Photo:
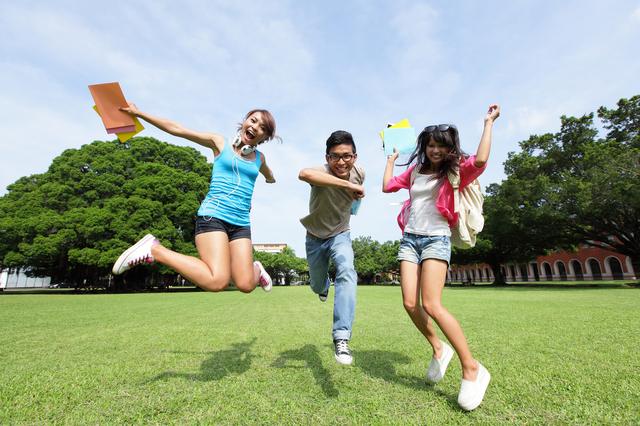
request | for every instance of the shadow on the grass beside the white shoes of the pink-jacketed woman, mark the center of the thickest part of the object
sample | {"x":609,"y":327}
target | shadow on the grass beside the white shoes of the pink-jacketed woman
{"x":382,"y":365}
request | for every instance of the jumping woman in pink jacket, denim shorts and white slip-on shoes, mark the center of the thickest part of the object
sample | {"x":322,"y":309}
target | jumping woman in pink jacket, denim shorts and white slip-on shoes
{"x":425,"y":248}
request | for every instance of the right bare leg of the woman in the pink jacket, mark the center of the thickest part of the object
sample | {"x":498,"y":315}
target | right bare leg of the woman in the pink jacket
{"x":434,"y":272}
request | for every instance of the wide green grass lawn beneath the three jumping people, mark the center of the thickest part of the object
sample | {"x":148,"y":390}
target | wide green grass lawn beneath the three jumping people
{"x":556,"y":356}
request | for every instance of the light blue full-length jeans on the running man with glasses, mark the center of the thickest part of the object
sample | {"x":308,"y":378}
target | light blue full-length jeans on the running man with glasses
{"x":337,"y":248}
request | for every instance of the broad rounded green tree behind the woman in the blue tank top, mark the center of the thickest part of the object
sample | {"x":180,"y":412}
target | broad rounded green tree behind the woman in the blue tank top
{"x":72,"y":221}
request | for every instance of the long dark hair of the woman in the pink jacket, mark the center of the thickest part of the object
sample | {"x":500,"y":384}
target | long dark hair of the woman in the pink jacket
{"x":448,"y":138}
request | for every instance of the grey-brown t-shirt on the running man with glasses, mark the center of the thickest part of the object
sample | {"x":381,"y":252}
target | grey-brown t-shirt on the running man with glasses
{"x":329,"y":207}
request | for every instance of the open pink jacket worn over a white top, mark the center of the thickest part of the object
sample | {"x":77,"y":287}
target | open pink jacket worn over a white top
{"x":468,"y":173}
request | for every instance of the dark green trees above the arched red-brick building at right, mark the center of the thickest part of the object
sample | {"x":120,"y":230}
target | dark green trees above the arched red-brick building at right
{"x":567,"y":188}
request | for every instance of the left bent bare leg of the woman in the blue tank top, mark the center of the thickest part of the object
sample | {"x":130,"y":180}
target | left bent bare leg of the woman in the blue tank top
{"x":211,"y":271}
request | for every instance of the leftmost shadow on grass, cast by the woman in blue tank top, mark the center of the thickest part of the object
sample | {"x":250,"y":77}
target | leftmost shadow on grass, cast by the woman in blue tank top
{"x":220,"y":364}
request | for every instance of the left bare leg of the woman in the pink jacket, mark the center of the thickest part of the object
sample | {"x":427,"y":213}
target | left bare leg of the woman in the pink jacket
{"x":409,"y":279}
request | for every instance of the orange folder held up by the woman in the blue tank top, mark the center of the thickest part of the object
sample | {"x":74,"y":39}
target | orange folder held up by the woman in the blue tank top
{"x":109,"y":98}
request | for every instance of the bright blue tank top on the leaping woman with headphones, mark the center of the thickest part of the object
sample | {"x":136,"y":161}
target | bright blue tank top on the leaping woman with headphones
{"x":231,"y":187}
